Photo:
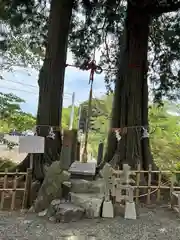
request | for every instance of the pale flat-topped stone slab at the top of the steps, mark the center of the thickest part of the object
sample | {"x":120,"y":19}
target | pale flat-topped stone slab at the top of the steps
{"x":85,"y":169}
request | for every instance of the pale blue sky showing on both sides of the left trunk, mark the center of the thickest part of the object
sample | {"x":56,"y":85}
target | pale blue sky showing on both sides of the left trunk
{"x":23,"y":83}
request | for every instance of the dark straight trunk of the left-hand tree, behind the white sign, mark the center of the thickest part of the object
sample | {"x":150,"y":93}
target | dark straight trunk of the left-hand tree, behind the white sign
{"x":51,"y":85}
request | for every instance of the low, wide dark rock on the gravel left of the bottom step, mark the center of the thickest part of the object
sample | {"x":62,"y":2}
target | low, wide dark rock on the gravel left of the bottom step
{"x":65,"y":212}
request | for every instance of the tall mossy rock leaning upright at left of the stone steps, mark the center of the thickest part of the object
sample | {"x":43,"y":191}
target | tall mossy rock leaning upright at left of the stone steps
{"x":51,"y":187}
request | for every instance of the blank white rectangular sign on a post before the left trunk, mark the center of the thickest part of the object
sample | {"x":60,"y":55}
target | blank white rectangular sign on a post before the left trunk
{"x":31,"y":144}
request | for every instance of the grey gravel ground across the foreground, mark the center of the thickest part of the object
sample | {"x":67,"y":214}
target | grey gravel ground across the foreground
{"x":157,"y":223}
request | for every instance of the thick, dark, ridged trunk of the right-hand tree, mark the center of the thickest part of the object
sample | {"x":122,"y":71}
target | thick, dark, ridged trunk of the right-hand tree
{"x":130,"y":107}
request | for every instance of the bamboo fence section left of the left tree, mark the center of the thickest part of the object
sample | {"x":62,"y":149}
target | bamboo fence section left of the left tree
{"x":15,"y":189}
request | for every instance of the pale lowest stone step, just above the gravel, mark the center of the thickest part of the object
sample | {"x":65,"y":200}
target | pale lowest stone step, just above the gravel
{"x":90,"y":202}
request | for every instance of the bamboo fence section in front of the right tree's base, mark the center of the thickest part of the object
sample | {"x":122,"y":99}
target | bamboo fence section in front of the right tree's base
{"x":165,"y":183}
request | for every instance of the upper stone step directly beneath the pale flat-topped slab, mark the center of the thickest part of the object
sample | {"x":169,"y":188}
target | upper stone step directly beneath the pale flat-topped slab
{"x":85,"y":186}
